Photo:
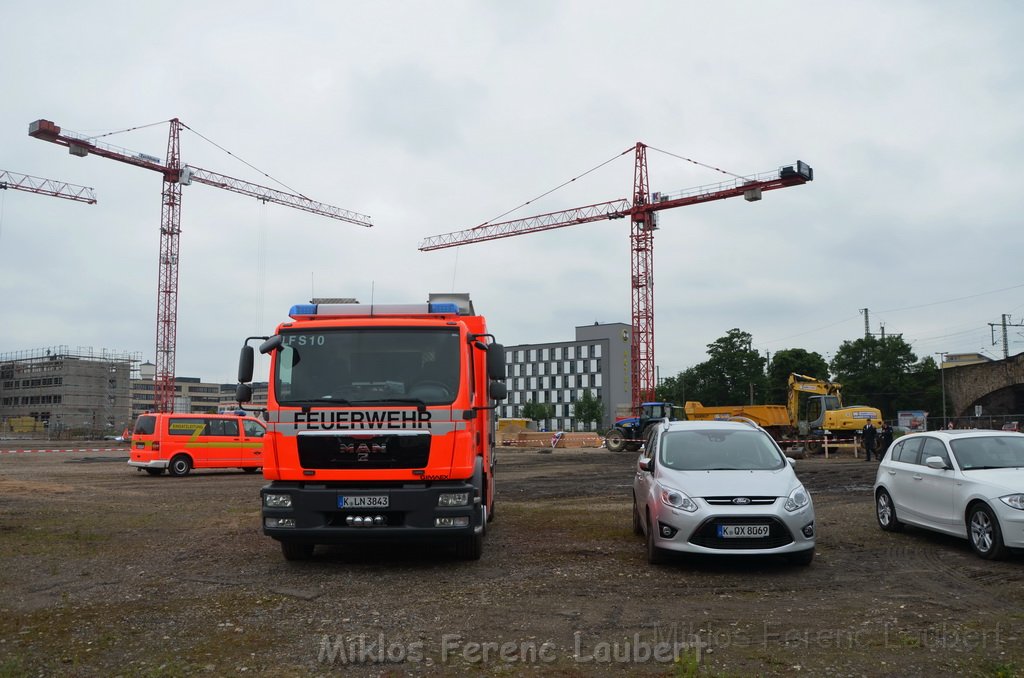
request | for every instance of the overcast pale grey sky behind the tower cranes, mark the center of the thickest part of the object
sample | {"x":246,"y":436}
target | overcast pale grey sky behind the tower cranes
{"x":434,"y":117}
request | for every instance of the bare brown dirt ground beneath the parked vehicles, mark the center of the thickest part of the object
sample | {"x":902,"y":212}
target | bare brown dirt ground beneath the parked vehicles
{"x":109,"y":572}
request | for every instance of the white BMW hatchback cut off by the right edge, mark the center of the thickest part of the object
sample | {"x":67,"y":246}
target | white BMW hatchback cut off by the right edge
{"x":963,"y":483}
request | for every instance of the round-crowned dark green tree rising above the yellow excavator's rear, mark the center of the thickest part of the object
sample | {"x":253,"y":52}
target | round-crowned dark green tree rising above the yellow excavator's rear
{"x":875,"y":372}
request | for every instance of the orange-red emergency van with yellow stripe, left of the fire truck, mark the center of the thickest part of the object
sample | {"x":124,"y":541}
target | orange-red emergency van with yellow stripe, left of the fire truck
{"x":181,"y":443}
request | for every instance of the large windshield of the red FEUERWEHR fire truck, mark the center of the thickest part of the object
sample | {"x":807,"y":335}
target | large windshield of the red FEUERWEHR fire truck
{"x":367,"y":365}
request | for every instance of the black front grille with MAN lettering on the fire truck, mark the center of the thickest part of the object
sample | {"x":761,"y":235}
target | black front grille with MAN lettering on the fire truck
{"x":364,"y":452}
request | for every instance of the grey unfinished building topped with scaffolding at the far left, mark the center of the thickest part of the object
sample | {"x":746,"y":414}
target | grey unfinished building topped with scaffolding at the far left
{"x":59,"y":393}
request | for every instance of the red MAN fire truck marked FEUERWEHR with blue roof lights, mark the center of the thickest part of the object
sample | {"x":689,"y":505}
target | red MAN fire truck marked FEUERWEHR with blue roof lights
{"x":380,"y":425}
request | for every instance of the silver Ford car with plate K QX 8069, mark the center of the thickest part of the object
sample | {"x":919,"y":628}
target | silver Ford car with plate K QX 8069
{"x":720,"y":488}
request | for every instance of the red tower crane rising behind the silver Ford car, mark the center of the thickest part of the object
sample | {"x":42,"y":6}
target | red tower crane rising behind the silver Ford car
{"x":643,"y":217}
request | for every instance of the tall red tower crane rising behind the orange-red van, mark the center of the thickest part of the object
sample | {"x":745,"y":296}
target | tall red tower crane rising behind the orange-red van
{"x":176,"y":176}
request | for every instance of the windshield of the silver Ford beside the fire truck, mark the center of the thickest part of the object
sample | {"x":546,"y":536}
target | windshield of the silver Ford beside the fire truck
{"x":712,"y":450}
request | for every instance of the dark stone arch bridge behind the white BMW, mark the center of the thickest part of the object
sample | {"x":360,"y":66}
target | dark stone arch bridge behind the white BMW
{"x":998,"y":387}
